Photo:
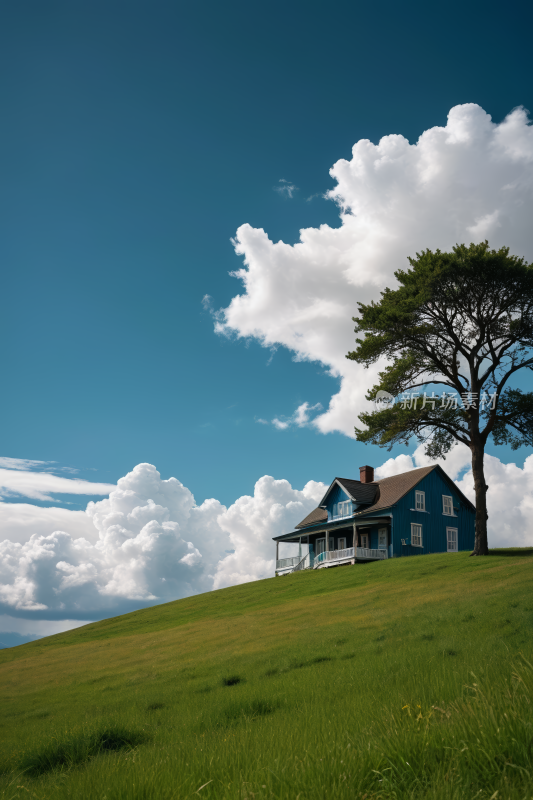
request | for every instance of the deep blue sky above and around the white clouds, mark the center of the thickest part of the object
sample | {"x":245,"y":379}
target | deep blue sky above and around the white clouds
{"x":137,"y":138}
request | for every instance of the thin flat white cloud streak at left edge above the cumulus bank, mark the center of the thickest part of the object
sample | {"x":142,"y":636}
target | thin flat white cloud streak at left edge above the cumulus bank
{"x":41,"y":485}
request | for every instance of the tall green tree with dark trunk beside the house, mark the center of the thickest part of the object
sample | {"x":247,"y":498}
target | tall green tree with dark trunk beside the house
{"x":463,"y":320}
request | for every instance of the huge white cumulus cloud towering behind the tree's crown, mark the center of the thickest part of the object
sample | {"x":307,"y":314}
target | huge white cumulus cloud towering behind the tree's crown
{"x":469,"y":180}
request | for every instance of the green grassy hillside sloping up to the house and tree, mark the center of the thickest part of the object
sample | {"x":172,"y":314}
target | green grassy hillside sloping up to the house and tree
{"x":406,"y":678}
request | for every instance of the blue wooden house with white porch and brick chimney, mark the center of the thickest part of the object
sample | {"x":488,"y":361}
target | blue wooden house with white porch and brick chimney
{"x":420,"y":511}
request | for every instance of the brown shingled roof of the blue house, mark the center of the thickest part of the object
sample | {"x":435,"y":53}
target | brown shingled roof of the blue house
{"x":379,"y":494}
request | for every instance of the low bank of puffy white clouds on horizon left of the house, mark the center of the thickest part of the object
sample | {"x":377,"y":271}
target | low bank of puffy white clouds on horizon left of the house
{"x":150,"y":542}
